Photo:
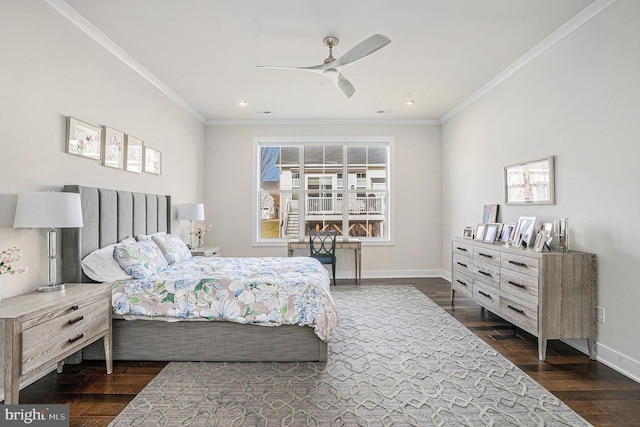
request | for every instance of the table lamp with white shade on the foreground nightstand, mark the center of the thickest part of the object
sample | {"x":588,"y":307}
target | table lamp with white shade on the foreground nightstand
{"x":49,"y":209}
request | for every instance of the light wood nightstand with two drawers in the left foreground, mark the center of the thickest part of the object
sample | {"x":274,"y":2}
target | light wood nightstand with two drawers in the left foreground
{"x":39,"y":329}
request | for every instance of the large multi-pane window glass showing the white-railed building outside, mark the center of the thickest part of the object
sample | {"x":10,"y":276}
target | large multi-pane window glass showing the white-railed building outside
{"x":340,"y":186}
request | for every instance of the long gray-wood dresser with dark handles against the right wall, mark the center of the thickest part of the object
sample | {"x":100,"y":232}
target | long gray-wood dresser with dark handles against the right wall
{"x":551,"y":295}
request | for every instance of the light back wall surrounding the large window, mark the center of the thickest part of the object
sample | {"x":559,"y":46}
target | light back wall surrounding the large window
{"x":415,"y":182}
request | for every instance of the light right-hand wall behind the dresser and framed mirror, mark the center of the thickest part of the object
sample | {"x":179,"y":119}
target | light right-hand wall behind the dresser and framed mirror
{"x":579,"y":102}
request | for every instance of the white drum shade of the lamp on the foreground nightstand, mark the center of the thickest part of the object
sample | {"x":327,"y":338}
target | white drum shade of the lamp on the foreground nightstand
{"x":48,"y":209}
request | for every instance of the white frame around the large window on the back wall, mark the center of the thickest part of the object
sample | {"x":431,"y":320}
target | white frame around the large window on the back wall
{"x":283,"y":141}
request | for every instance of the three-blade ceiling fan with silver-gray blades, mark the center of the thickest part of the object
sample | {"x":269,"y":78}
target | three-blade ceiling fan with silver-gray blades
{"x":331,"y":66}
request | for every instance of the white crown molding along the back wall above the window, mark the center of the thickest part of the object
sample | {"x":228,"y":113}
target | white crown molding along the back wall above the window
{"x":336,"y":122}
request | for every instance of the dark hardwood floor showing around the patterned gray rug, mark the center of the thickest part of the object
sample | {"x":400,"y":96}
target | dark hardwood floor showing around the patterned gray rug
{"x":599,"y":394}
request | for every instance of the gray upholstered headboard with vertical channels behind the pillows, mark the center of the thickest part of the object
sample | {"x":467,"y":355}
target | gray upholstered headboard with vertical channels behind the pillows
{"x":109,"y":216}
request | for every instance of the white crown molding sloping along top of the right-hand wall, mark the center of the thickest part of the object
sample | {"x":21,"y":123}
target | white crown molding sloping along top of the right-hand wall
{"x":569,"y":27}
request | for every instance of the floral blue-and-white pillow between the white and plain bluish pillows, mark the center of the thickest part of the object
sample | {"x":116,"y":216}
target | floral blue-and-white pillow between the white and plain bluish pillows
{"x":141,"y":259}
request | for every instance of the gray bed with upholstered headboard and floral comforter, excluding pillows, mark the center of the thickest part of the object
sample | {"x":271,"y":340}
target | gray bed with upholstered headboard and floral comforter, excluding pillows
{"x":190,"y":335}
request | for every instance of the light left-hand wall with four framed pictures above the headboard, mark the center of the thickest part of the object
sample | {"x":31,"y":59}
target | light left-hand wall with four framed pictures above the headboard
{"x":51,"y":70}
